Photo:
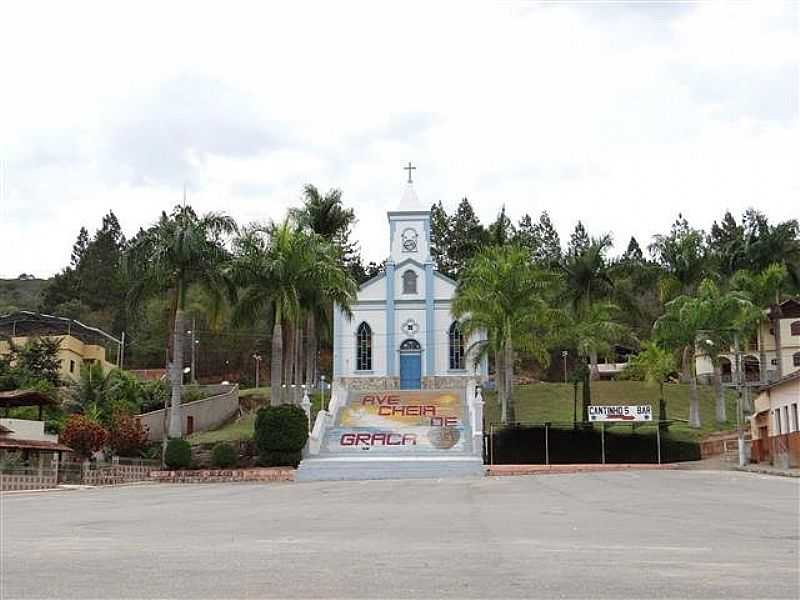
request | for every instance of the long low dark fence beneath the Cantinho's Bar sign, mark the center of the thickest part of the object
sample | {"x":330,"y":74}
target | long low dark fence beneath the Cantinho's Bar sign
{"x":585,"y":443}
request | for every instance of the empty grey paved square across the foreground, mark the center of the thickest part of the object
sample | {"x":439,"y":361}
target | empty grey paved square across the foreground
{"x":633,"y":534}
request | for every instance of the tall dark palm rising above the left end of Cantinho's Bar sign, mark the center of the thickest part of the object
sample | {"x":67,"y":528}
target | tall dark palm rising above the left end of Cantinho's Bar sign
{"x":588,"y":280}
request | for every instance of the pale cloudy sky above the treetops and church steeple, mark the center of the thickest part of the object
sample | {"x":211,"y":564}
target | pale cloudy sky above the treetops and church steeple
{"x":621,"y":115}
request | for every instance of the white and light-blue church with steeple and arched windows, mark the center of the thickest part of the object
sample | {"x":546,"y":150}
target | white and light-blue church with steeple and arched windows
{"x":402,"y":334}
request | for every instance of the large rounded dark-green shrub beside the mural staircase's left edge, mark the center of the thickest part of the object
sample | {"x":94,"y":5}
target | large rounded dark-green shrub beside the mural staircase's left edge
{"x":280,"y":433}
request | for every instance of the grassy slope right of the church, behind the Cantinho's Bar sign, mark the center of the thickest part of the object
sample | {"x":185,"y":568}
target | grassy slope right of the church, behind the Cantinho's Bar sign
{"x":553,"y":402}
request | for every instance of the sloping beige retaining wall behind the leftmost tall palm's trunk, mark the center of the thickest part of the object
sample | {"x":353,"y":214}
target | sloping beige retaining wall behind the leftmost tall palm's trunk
{"x":203,"y":415}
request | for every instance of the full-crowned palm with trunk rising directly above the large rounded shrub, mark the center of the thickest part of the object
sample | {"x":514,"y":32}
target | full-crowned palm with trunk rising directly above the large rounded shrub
{"x":279,"y":267}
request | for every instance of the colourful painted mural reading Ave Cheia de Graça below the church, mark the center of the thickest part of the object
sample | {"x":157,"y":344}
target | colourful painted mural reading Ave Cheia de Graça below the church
{"x":399,"y":422}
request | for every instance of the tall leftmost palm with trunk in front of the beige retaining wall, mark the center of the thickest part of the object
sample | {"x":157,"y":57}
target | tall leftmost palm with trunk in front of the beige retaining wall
{"x":180,"y":251}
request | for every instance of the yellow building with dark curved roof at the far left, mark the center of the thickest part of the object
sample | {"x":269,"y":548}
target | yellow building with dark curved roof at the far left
{"x":78,"y":343}
